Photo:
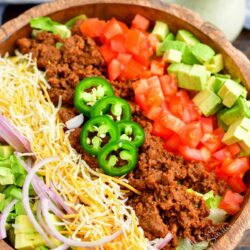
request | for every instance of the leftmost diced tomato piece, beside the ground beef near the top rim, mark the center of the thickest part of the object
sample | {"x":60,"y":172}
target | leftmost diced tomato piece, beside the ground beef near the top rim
{"x":92,"y":27}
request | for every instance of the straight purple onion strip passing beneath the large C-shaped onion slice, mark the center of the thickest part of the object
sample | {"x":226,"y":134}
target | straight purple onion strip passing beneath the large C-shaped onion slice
{"x":41,"y":188}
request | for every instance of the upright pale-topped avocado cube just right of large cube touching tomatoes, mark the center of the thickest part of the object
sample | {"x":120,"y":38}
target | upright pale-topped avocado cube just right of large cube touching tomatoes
{"x":198,"y":77}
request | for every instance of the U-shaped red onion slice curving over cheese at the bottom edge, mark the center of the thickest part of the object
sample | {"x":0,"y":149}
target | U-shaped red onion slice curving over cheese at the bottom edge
{"x":73,"y":243}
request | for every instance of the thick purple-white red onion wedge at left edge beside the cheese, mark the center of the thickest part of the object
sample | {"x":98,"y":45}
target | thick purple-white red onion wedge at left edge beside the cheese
{"x":12,"y":136}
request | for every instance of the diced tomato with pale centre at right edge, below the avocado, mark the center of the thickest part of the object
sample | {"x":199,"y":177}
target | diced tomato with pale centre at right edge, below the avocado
{"x":237,"y":167}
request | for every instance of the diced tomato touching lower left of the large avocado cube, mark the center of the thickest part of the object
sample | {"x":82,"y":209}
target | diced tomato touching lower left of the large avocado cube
{"x":168,"y":84}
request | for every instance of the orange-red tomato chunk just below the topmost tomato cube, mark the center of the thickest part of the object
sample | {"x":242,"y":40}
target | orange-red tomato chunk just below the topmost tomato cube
{"x":133,"y":40}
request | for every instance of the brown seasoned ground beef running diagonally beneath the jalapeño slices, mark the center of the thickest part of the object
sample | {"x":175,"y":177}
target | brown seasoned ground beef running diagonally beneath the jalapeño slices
{"x":164,"y":205}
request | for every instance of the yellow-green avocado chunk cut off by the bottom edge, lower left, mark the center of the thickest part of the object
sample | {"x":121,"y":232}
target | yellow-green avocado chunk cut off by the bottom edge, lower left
{"x":28,"y":241}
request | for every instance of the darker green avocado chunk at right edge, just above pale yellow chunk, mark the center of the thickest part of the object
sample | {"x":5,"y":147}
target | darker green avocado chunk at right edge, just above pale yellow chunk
{"x":238,"y":111}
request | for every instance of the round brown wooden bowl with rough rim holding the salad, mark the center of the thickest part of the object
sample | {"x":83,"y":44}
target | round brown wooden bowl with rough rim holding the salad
{"x":176,"y":17}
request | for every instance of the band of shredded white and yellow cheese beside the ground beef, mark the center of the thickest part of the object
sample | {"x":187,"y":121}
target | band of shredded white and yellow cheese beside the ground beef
{"x":98,"y":199}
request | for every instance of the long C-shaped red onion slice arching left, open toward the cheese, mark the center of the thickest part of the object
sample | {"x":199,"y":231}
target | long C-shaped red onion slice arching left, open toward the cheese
{"x":26,"y":202}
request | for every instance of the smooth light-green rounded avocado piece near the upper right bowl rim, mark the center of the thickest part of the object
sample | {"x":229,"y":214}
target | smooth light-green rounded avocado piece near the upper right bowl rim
{"x":202,"y":52}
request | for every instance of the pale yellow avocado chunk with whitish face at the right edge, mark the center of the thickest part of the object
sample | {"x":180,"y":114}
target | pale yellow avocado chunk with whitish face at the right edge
{"x":237,"y":131}
